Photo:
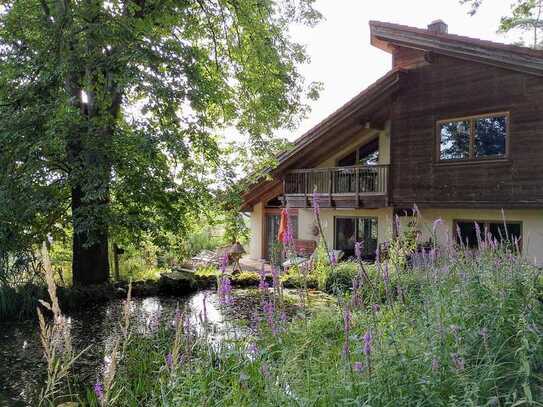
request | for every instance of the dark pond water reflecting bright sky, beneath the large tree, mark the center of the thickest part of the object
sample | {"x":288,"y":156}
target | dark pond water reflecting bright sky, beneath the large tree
{"x":22,"y":366}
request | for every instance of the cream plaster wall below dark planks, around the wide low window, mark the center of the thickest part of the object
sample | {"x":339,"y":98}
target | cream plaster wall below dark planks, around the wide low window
{"x":532,"y":226}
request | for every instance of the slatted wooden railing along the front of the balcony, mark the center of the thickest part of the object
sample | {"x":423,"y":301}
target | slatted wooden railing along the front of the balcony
{"x":371,"y":179}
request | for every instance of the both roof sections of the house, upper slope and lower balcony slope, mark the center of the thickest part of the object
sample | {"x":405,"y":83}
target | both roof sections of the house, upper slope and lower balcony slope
{"x":387,"y":36}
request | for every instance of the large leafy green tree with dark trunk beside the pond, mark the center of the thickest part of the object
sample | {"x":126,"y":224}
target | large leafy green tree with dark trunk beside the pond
{"x":110,"y":110}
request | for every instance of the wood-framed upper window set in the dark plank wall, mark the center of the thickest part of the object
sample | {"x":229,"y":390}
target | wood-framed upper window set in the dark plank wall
{"x":472,"y":138}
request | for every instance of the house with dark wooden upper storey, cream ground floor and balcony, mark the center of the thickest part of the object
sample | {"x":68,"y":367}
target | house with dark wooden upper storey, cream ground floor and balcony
{"x":455,"y":128}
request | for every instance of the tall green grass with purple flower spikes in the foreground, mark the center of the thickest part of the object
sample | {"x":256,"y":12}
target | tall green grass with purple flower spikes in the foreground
{"x":455,"y":327}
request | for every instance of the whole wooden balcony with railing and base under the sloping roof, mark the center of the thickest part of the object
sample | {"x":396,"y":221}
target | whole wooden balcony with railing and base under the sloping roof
{"x":338,"y":187}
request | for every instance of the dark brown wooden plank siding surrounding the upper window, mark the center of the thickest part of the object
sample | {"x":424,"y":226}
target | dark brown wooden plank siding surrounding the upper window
{"x":449,"y":88}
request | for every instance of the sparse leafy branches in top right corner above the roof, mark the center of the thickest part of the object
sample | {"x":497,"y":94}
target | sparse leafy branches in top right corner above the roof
{"x":526,"y":16}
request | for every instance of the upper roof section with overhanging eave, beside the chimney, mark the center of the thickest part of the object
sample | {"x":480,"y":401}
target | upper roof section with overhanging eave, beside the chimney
{"x":517,"y":58}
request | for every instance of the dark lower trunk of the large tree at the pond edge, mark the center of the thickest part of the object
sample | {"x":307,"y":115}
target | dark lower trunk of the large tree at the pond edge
{"x":90,"y":262}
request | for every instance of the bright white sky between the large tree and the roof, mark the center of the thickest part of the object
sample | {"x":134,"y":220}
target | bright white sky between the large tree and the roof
{"x":345,"y":62}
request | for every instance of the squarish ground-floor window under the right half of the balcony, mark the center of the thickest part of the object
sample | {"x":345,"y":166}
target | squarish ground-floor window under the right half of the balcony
{"x":349,"y":230}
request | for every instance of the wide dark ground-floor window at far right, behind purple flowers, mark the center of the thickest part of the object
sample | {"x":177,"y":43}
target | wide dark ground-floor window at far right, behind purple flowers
{"x":466,"y":231}
